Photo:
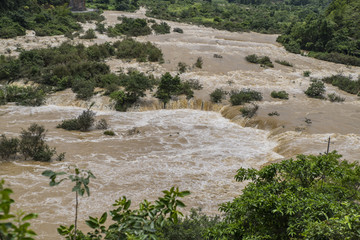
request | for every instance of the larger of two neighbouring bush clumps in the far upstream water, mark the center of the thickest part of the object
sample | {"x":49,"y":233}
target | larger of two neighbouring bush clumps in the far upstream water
{"x":133,"y":27}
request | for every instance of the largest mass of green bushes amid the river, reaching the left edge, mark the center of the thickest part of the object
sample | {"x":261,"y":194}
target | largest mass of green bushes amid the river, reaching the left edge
{"x":68,"y":66}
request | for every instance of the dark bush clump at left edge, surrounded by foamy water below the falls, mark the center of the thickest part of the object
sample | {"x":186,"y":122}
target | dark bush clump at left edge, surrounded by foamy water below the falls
{"x":31,"y":145}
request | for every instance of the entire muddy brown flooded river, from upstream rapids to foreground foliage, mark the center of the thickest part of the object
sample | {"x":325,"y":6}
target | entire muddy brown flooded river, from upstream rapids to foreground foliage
{"x":195,"y":150}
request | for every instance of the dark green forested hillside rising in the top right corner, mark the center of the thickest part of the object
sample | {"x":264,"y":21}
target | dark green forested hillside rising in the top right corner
{"x":335,"y":33}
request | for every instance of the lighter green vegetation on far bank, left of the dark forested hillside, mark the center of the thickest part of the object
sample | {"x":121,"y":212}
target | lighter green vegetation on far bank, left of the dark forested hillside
{"x":264,"y":16}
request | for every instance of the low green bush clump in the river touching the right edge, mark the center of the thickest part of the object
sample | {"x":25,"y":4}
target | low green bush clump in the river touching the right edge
{"x":344,"y":83}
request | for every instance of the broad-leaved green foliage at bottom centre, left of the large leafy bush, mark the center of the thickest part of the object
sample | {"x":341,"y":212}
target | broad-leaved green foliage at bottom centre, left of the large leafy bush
{"x":141,"y":223}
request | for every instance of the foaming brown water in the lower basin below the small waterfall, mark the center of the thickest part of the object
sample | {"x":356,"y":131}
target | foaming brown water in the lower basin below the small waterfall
{"x":194,"y":150}
